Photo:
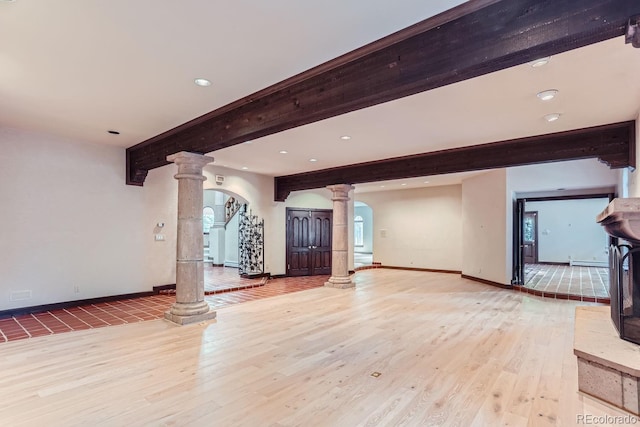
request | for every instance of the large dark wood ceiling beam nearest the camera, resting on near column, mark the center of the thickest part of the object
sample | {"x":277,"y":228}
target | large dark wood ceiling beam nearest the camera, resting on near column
{"x":476,"y":38}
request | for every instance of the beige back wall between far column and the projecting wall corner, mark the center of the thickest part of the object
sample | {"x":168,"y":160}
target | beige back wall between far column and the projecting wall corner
{"x":419,"y":228}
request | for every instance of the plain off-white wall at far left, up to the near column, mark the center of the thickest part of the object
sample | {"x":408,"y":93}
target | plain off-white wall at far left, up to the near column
{"x":71,"y":228}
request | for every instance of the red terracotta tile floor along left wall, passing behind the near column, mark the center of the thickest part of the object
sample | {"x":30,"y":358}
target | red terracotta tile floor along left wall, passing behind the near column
{"x":140,"y":309}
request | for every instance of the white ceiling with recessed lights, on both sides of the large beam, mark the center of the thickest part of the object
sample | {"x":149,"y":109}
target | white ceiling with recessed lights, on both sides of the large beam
{"x":78,"y":68}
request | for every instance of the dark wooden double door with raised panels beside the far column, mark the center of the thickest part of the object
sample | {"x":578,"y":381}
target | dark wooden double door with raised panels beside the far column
{"x":309,"y":241}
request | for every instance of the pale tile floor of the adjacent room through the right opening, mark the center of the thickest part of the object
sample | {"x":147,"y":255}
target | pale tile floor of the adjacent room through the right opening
{"x":589,"y":282}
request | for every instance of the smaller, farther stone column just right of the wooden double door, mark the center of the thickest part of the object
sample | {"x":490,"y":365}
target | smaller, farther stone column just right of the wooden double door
{"x":340,"y":238}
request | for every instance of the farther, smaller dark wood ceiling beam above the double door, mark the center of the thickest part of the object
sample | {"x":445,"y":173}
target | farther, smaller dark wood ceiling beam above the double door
{"x":613,"y":144}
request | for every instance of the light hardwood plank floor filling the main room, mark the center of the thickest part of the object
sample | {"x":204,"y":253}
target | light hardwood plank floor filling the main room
{"x":451,"y":352}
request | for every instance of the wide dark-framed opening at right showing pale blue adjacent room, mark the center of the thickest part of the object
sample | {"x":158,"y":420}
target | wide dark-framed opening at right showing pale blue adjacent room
{"x":559,"y":248}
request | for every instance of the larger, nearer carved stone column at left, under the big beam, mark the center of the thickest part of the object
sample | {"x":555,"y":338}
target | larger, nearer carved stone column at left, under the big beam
{"x":190,"y":305}
